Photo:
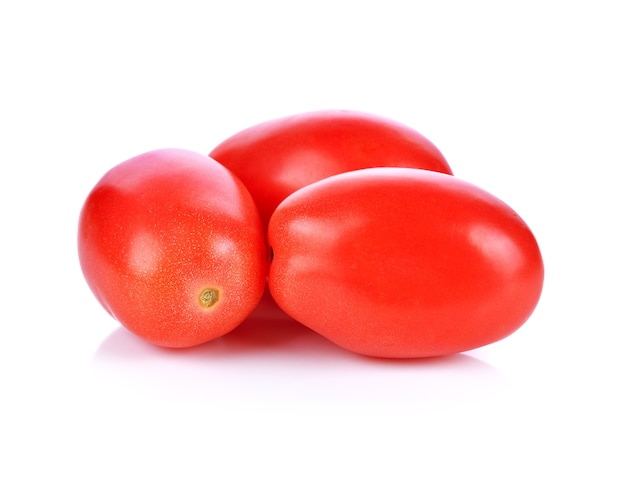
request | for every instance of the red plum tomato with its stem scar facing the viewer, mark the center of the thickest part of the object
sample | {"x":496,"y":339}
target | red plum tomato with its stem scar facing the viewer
{"x":172,"y":246}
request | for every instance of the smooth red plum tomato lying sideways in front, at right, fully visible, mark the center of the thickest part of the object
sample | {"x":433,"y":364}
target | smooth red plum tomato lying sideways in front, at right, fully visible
{"x":400,"y":262}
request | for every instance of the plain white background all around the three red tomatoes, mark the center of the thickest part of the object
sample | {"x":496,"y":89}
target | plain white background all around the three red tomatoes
{"x":525,"y":99}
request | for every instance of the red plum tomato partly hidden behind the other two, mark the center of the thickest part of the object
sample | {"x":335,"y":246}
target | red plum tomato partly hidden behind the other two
{"x":277,"y":157}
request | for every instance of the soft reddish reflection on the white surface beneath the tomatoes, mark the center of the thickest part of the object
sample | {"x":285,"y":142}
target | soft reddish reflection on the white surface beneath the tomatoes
{"x":282,"y":365}
